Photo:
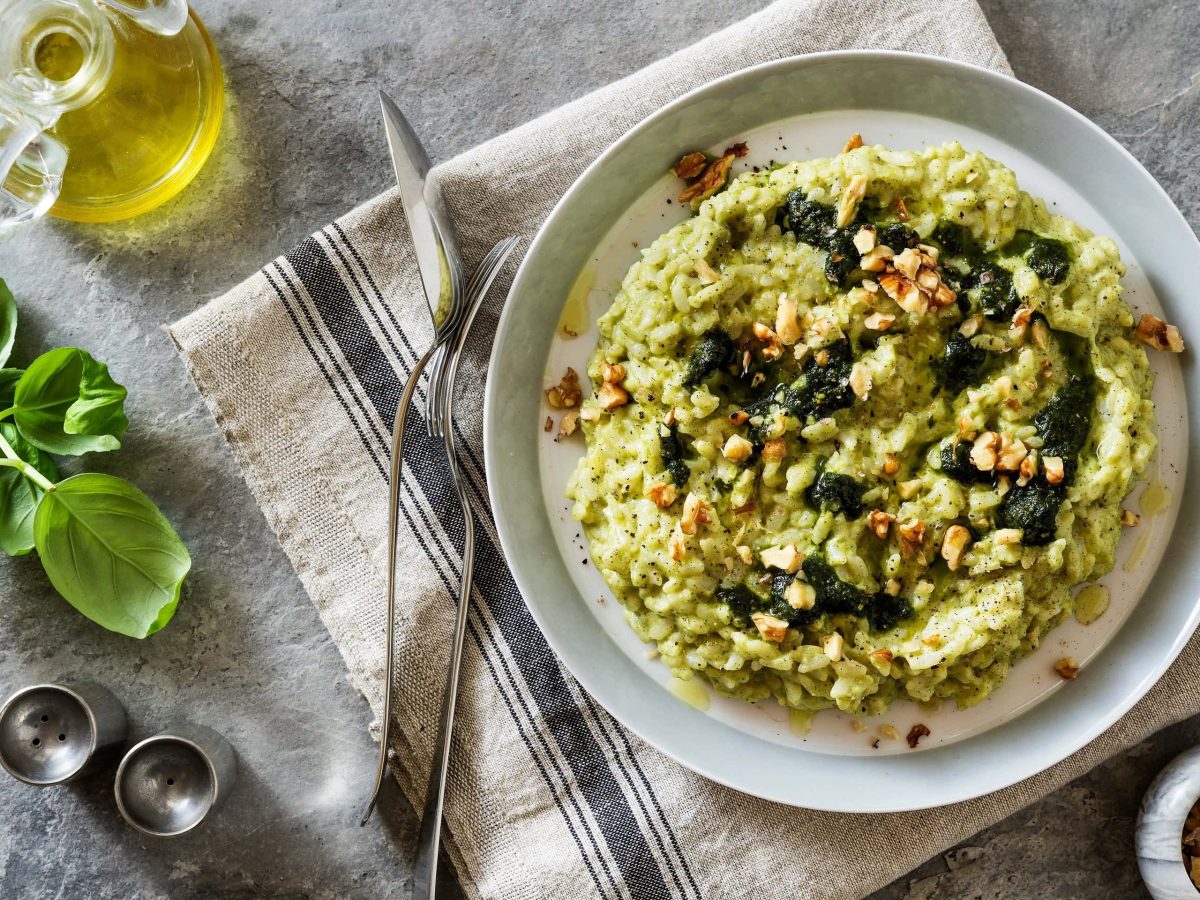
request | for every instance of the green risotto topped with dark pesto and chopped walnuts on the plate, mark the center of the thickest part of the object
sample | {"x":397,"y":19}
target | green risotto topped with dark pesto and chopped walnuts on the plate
{"x":861,"y":425}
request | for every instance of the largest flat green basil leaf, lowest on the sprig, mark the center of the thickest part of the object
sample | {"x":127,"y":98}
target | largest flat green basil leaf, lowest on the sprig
{"x":110,"y":551}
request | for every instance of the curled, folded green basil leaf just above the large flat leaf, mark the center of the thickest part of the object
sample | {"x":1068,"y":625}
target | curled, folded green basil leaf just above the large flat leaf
{"x":68,"y":404}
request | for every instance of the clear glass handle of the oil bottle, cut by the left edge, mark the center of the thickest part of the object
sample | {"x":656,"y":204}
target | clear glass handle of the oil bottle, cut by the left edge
{"x":32,"y":165}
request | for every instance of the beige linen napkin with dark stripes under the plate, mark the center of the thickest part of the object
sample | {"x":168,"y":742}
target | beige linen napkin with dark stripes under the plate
{"x":549,"y":797}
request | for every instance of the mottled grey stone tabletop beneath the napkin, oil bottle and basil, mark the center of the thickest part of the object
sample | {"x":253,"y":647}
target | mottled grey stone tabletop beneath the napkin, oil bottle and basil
{"x":247,"y":652}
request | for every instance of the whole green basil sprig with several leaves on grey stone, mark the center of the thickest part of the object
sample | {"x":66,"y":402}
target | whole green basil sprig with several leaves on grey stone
{"x":105,"y":545}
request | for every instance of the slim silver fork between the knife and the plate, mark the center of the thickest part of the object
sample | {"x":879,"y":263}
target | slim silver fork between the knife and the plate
{"x":425,"y":869}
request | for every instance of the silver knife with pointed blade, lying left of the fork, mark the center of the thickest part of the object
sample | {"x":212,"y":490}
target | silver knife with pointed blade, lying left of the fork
{"x":442,"y":279}
